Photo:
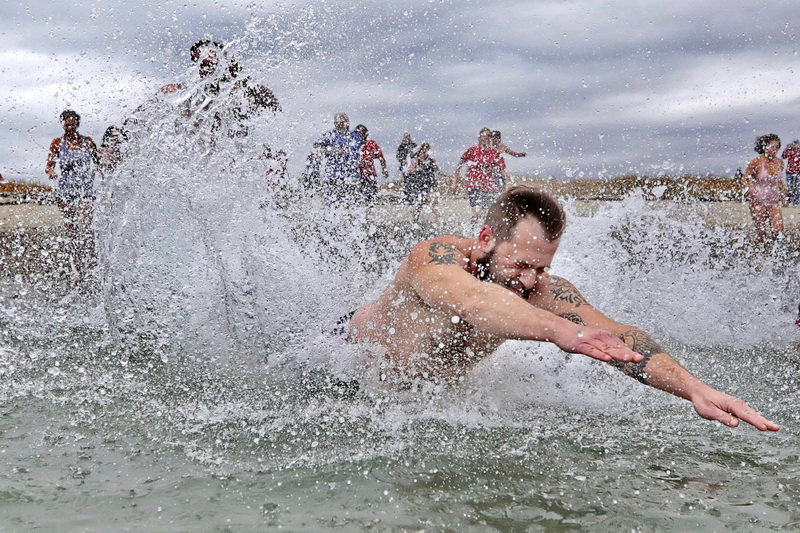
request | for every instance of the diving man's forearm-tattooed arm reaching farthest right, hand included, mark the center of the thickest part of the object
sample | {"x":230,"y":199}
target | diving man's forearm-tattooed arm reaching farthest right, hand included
{"x":657,"y":368}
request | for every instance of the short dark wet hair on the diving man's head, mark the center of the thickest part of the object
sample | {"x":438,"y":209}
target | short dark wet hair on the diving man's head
{"x":519,"y":202}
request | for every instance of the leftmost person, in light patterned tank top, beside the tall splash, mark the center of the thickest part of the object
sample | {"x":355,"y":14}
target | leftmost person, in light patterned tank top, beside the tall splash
{"x":76,"y":156}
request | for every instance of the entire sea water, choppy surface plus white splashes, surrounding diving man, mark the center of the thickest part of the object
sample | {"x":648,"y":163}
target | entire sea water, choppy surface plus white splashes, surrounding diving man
{"x":192,"y":385}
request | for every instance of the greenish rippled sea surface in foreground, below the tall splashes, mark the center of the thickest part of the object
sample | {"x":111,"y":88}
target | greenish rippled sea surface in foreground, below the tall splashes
{"x":98,"y":436}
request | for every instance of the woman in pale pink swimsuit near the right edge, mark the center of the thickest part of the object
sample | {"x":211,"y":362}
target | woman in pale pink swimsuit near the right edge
{"x":765,"y":189}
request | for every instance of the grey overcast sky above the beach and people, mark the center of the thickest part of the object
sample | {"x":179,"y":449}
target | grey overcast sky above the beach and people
{"x":587,"y":88}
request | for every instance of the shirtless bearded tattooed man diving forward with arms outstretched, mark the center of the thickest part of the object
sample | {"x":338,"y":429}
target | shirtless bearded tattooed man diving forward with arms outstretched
{"x":454,"y":301}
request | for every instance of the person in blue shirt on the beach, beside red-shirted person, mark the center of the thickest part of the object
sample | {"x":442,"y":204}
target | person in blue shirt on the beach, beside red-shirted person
{"x":341,"y":150}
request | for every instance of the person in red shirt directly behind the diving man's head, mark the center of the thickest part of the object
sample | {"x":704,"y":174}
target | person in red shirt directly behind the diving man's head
{"x":486,"y":164}
